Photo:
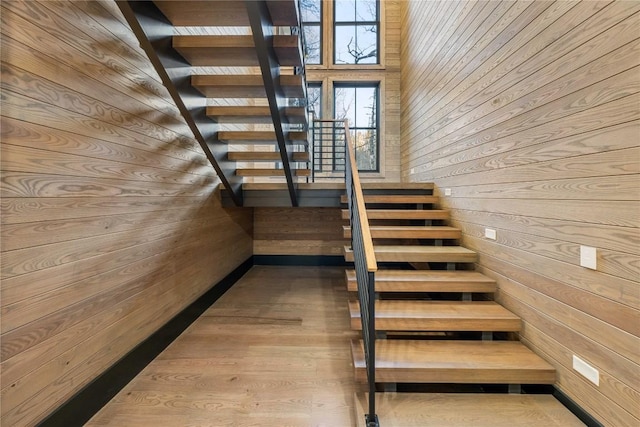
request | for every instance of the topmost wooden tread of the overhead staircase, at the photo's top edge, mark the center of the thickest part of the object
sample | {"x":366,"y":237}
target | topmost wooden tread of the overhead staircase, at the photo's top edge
{"x":231,"y":13}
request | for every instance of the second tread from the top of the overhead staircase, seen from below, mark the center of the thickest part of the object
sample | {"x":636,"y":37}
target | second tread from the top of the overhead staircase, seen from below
{"x":234,"y":50}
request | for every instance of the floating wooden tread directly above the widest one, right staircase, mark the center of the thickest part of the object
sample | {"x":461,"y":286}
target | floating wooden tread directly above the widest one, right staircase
{"x":420,"y":315}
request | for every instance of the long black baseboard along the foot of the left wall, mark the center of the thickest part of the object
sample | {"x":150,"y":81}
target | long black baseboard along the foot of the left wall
{"x":87,"y":402}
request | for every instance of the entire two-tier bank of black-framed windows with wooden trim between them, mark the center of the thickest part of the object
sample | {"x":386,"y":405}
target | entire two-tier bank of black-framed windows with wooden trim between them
{"x":342,"y":38}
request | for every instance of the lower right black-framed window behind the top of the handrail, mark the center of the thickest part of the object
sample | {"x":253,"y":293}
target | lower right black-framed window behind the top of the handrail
{"x":358,"y":104}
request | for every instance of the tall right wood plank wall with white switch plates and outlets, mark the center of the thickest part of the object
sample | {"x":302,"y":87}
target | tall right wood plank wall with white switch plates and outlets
{"x":529,"y":112}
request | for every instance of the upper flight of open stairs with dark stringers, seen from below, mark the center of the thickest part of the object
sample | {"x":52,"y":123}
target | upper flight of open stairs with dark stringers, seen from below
{"x":236,"y":71}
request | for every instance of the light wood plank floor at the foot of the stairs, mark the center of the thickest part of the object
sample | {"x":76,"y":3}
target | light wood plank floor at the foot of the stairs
{"x":274,"y":351}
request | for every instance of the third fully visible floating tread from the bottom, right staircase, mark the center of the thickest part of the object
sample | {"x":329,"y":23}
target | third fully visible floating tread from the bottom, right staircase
{"x":426,"y":281}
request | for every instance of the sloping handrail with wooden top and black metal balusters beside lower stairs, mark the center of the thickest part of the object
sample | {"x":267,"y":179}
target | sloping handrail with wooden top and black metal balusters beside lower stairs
{"x":366,"y":267}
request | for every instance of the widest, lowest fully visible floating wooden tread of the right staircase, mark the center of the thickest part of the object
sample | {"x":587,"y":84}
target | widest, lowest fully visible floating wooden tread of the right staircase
{"x":461,"y":362}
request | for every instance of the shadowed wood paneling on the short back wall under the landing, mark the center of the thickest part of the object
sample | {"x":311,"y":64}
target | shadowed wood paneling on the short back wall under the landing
{"x":298,"y":231}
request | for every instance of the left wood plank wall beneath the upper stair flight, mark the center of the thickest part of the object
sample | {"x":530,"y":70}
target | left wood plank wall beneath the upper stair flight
{"x":111,"y":220}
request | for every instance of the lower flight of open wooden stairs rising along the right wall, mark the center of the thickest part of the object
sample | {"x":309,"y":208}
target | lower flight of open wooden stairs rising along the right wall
{"x":436,"y":324}
